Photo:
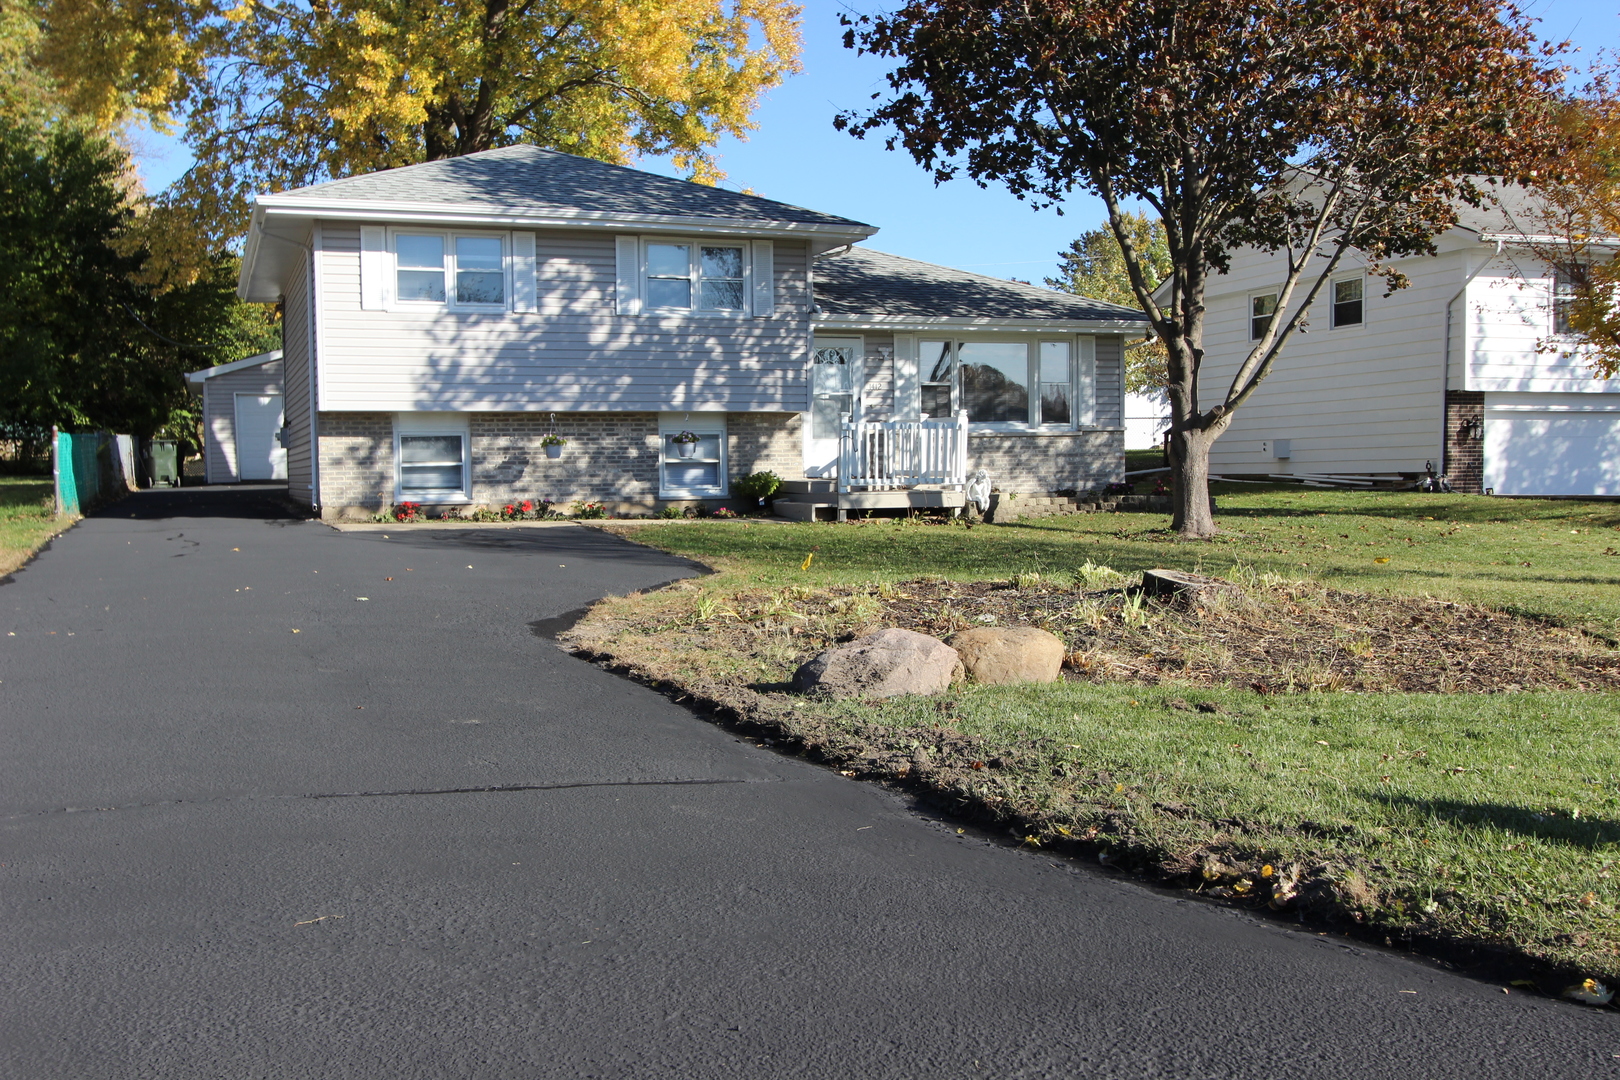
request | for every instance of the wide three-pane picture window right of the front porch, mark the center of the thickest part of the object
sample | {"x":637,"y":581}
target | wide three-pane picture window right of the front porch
{"x":1026,"y":385}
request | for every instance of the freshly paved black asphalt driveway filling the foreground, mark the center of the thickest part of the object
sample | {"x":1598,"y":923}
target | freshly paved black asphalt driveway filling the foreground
{"x":289,"y":802}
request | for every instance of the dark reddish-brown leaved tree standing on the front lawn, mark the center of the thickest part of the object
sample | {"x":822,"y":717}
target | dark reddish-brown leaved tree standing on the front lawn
{"x":1295,"y":127}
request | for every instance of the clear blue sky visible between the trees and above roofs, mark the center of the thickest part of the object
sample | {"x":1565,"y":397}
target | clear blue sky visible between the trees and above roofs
{"x":798,"y":158}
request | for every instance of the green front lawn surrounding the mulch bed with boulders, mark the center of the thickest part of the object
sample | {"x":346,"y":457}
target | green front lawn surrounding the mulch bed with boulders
{"x":1475,"y":819}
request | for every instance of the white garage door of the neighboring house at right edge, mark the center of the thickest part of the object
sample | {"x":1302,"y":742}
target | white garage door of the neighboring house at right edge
{"x":1553,"y":454}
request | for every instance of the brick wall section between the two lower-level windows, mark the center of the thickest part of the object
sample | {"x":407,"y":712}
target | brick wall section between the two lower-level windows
{"x":612,"y":459}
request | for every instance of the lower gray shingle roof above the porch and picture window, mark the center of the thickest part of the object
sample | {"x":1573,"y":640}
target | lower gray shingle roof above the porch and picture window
{"x":866,"y":283}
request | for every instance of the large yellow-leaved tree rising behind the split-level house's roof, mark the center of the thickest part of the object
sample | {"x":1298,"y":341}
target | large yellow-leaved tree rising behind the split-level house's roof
{"x":283,"y":95}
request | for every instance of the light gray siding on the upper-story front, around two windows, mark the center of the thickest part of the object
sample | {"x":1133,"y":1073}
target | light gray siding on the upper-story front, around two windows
{"x":571,"y":355}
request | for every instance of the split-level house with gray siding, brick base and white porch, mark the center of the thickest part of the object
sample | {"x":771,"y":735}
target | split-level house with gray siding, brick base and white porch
{"x":443,"y":320}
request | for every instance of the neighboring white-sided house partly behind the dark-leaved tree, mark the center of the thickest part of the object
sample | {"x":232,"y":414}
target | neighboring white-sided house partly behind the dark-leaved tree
{"x":1454,"y":370}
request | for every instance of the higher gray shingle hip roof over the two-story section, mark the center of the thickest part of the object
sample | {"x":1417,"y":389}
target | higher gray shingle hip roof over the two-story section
{"x":548,"y":181}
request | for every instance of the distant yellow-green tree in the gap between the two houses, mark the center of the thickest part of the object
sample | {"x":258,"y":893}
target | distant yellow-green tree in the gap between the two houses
{"x":1094,"y":266}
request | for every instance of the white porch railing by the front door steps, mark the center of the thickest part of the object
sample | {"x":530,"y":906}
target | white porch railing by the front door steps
{"x":887,"y":456}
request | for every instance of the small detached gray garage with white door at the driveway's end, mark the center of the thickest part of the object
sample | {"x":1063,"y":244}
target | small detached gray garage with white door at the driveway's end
{"x":242,"y":420}
